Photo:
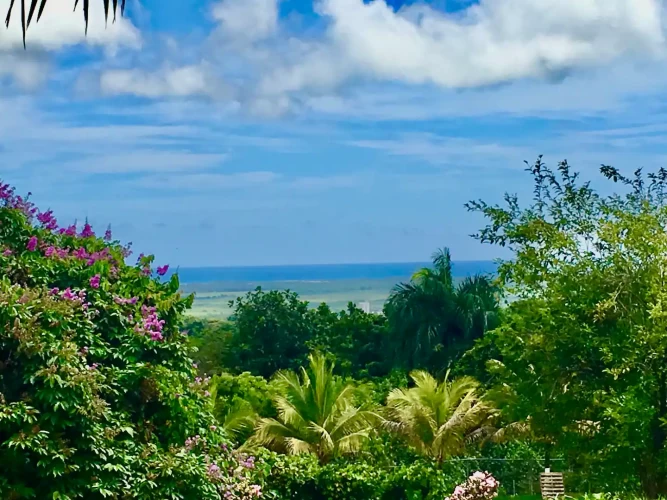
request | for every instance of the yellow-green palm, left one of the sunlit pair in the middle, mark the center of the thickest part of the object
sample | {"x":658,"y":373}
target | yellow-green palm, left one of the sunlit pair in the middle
{"x":317,"y":413}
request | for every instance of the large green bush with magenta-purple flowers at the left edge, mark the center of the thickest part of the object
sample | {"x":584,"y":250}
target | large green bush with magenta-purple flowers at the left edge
{"x":98,"y":396}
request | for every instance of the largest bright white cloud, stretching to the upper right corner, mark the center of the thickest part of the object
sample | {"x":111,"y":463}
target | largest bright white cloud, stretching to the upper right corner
{"x":488,"y":43}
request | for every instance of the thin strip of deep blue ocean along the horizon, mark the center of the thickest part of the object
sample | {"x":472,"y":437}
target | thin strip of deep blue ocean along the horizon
{"x":324,"y":272}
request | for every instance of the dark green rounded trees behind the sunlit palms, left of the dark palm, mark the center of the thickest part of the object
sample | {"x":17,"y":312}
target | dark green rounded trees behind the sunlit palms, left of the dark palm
{"x":276,"y":330}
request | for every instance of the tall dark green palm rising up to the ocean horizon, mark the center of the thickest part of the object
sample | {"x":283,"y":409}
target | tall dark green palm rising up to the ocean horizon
{"x":432,"y":317}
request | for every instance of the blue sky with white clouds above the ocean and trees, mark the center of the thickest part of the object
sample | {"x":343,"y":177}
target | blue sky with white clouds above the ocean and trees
{"x":262,"y":132}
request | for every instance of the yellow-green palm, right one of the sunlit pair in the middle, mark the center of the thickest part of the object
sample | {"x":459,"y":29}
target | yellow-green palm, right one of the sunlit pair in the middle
{"x":439,"y":419}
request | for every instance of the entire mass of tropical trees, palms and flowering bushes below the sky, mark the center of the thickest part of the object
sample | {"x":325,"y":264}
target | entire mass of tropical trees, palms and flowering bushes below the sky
{"x":108,"y":391}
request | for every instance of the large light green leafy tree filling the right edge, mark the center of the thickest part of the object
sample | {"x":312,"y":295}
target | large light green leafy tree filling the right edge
{"x":583,"y":353}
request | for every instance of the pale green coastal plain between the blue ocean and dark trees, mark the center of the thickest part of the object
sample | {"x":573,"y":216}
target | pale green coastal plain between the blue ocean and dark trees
{"x":212,"y":299}
